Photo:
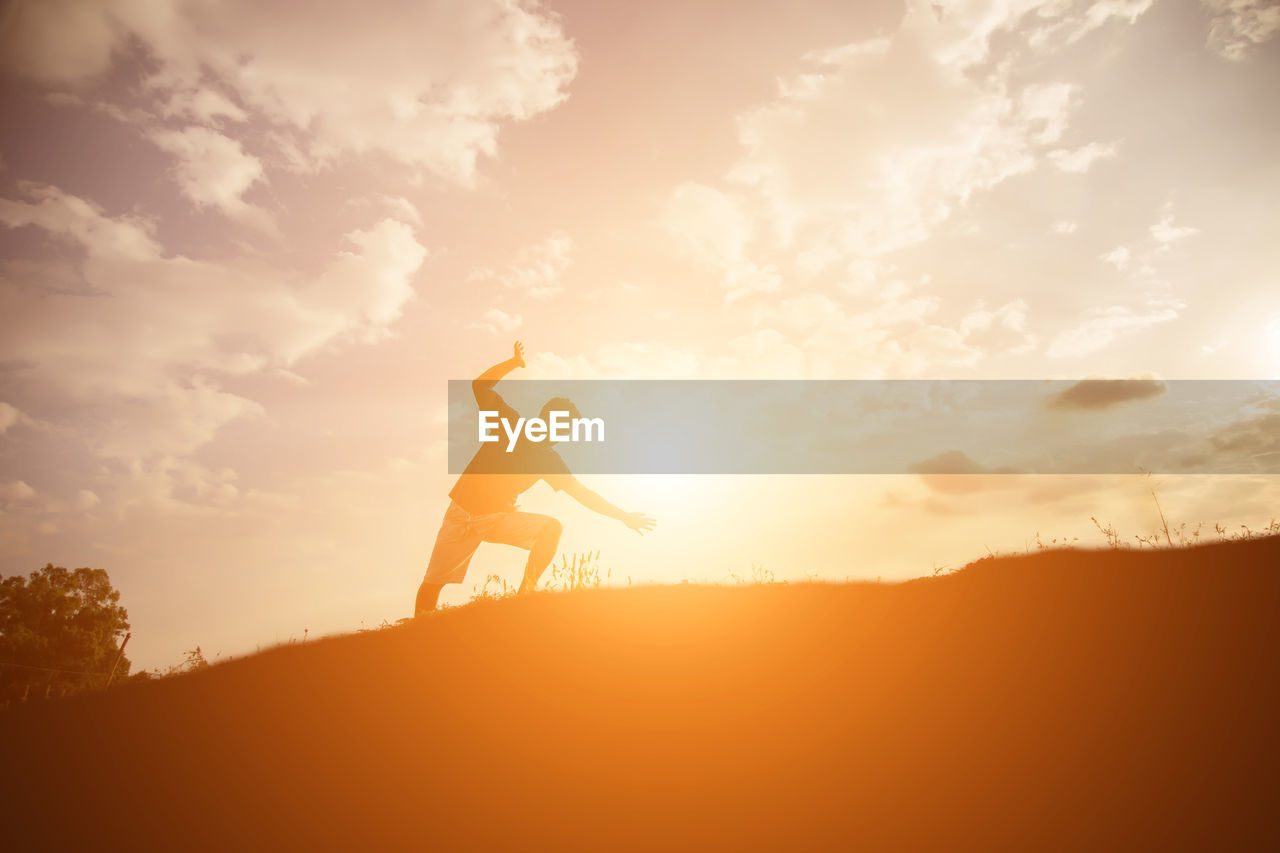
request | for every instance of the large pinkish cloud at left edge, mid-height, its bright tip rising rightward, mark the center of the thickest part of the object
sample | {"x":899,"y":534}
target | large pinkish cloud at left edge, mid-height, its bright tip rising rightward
{"x":141,"y":352}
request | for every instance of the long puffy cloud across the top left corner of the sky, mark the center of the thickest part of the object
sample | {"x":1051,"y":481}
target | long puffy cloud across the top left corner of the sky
{"x":424,"y":84}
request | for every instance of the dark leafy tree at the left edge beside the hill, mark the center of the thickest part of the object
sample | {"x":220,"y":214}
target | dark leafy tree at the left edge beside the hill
{"x":60,"y":631}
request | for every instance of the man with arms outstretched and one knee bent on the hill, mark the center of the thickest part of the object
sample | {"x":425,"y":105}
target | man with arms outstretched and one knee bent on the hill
{"x":483,"y":507}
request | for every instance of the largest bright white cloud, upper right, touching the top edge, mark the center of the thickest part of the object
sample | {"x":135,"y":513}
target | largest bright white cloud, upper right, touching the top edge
{"x":872,"y":147}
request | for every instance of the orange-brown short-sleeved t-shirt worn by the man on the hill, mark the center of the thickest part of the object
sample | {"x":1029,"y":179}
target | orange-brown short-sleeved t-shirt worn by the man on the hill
{"x":493,"y":480}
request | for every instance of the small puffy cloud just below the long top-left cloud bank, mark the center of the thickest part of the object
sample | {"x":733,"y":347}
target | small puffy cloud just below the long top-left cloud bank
{"x":214,"y":171}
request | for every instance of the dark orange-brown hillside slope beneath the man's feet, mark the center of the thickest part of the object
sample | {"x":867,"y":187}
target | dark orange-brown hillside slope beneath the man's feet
{"x":1062,"y":700}
